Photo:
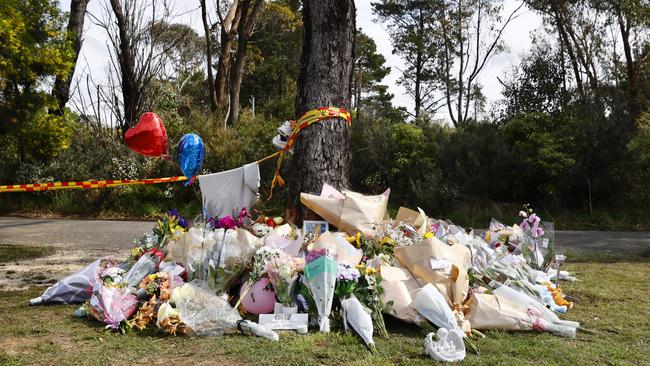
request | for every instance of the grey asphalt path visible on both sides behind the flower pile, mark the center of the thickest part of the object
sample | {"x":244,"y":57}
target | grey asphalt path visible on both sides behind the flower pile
{"x":119,"y":235}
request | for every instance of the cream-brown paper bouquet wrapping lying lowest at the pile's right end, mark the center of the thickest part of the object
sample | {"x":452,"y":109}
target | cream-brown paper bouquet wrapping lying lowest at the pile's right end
{"x":486,"y":311}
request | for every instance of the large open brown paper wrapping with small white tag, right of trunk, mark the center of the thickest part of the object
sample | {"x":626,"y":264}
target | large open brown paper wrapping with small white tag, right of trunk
{"x":452,"y":282}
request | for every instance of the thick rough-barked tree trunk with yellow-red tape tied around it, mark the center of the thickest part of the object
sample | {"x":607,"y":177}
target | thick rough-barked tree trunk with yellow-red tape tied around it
{"x":322,"y":150}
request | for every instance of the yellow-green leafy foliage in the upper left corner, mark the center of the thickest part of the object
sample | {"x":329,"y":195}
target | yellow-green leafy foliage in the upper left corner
{"x":35,"y":50}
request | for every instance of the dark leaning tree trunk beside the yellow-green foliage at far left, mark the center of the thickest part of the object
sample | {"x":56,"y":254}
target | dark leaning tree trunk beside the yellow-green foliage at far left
{"x":75,"y":29}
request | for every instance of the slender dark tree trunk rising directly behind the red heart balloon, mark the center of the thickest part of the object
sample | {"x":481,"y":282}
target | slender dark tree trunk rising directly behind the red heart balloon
{"x":130,"y":93}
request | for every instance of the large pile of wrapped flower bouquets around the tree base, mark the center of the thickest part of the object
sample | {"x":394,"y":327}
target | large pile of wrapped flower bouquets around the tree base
{"x":216,"y":275}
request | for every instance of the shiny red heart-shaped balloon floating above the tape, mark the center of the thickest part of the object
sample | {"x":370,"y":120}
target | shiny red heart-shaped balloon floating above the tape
{"x":148,"y":137}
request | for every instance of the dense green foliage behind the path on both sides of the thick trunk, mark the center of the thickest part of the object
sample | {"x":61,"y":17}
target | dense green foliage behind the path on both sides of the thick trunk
{"x":545,"y":143}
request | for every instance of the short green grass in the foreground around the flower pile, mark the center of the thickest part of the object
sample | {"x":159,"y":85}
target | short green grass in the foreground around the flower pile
{"x":613,"y":300}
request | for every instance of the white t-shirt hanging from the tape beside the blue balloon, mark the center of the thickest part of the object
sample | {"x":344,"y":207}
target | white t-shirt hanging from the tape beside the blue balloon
{"x":226,"y":193}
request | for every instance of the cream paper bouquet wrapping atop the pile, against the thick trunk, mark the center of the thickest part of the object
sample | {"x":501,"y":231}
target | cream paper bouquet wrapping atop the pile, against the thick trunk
{"x":355,"y":212}
